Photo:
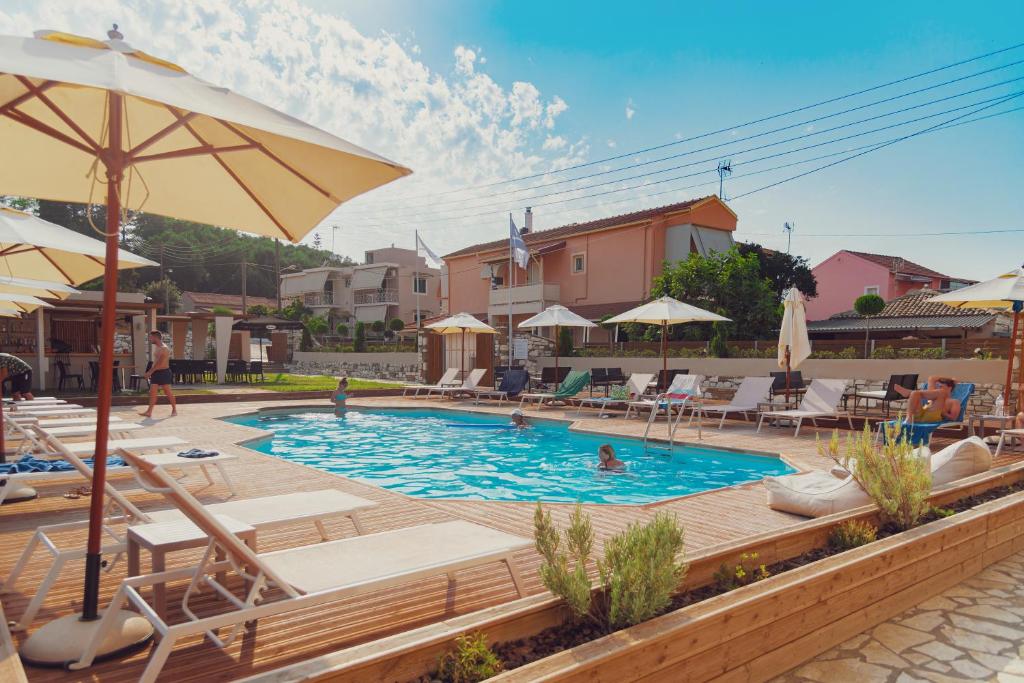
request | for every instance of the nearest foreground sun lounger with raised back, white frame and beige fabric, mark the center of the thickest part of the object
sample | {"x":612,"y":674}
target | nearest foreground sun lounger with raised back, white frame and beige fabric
{"x":307,"y":577}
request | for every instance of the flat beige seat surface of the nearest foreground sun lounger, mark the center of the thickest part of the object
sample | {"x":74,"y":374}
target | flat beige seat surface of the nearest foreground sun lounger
{"x":404,"y":554}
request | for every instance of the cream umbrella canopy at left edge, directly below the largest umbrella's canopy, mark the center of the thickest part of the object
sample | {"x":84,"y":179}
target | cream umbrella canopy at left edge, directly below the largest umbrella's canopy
{"x":36,"y":248}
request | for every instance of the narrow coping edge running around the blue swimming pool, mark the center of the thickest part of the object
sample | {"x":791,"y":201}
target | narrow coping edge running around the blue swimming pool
{"x":320,"y":408}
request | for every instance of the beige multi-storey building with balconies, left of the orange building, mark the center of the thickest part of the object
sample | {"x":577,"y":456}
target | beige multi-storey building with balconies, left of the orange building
{"x":386,"y":287}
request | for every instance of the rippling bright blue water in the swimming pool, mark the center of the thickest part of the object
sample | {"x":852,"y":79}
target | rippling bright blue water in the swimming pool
{"x":444,"y":454}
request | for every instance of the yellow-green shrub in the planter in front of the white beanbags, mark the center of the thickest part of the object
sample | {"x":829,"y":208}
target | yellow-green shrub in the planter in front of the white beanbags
{"x":892,"y":474}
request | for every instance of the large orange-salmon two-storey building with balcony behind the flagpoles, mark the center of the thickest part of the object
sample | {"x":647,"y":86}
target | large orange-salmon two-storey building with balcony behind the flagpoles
{"x":601,"y":268}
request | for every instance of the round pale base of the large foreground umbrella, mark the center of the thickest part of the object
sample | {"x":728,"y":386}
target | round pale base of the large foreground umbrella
{"x":64,"y":641}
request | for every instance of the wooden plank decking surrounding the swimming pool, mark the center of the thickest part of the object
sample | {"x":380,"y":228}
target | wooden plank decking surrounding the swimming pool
{"x":709,"y":519}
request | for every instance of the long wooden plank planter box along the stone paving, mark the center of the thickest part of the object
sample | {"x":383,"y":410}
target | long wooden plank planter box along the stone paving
{"x":750,"y":634}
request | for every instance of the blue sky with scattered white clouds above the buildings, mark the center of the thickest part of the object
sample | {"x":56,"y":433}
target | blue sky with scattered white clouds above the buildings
{"x":474,"y":94}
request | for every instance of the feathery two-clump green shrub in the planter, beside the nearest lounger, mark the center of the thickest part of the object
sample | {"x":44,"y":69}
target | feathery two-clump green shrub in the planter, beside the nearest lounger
{"x":643,"y":568}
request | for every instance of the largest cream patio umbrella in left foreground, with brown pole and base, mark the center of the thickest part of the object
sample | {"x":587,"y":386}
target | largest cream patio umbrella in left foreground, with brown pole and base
{"x":99,"y":122}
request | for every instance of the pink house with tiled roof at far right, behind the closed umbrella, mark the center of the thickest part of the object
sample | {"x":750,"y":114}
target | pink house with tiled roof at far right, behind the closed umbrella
{"x":848,"y":275}
